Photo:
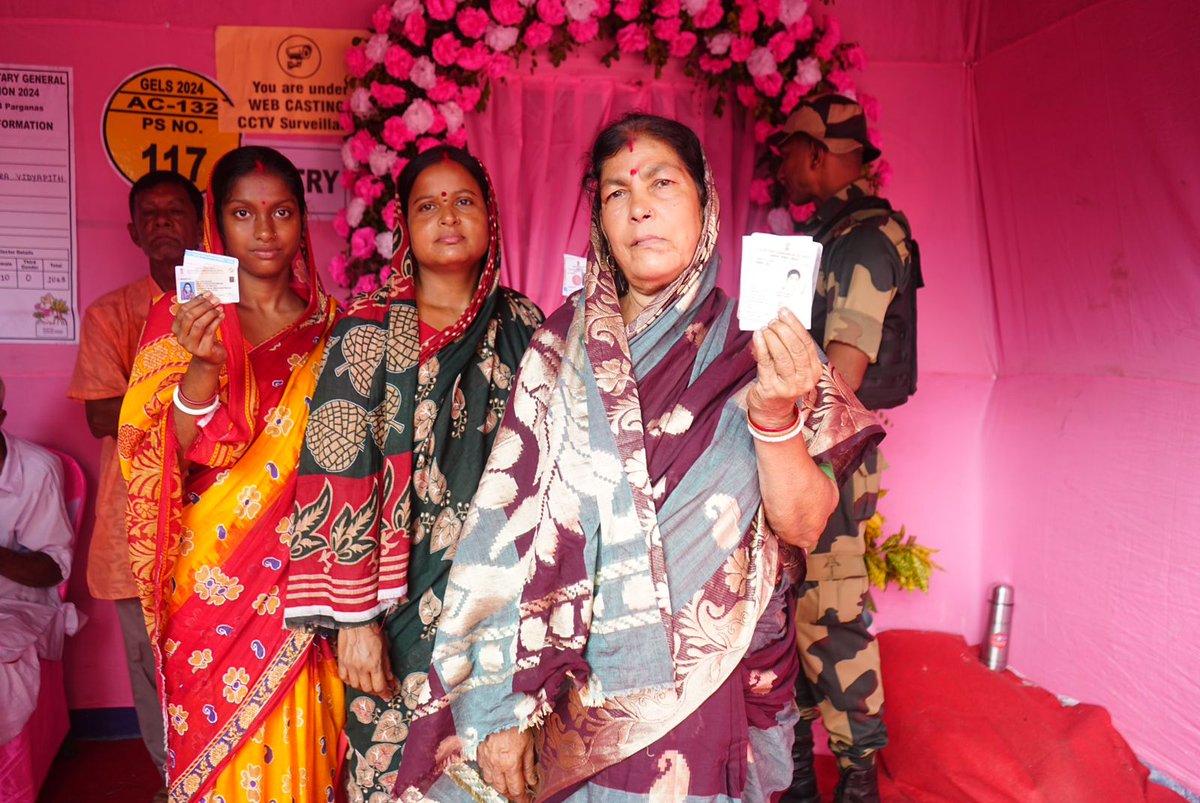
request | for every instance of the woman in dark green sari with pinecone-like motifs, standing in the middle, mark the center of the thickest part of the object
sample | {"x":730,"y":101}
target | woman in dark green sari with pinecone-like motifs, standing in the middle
{"x":405,"y":416}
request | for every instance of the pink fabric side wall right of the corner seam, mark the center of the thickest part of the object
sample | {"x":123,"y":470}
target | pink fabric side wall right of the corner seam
{"x":1089,"y":164}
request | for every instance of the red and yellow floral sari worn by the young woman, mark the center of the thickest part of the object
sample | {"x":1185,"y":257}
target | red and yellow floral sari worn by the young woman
{"x":254,"y":711}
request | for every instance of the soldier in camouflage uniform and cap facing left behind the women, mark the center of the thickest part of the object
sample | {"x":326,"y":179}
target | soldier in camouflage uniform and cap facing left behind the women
{"x":866,"y":262}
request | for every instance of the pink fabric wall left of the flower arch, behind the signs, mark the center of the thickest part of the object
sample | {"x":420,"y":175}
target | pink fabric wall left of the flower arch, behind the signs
{"x":104,"y":55}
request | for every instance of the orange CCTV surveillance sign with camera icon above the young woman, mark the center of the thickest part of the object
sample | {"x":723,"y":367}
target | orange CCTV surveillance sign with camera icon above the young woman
{"x":284,"y":81}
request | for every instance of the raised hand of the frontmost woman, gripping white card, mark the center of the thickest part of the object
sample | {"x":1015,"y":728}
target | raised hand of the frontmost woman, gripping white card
{"x":789,"y":370}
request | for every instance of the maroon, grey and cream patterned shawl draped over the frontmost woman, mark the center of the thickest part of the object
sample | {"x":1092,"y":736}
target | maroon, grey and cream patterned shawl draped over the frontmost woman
{"x":616,"y":561}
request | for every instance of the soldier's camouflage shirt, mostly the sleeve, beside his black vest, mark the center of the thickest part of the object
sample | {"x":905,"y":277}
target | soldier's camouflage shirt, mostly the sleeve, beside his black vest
{"x":861,"y":271}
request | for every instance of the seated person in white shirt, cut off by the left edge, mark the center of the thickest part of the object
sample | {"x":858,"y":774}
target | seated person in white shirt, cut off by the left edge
{"x":35,"y":558}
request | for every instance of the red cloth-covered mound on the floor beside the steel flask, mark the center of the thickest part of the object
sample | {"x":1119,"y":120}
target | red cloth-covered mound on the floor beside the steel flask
{"x":961,"y":733}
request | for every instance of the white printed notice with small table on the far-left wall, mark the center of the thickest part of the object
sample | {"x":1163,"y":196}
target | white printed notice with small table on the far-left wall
{"x":38,"y":214}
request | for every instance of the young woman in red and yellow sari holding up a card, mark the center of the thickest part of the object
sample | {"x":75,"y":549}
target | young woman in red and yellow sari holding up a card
{"x":211,"y":440}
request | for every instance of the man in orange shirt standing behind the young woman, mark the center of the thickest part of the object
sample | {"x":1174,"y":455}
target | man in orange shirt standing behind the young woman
{"x":166,"y":213}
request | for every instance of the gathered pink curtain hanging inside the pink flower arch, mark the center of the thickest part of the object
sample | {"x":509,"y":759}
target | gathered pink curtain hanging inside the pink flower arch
{"x":535,"y":139}
